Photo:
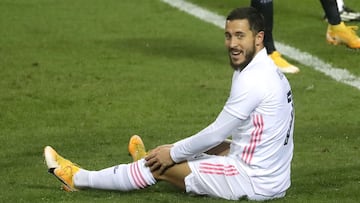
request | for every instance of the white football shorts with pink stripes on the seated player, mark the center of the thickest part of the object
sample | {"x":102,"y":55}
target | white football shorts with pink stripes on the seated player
{"x":222,"y":177}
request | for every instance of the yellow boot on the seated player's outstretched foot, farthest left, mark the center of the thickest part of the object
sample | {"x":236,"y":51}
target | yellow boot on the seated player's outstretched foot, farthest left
{"x":61,"y":168}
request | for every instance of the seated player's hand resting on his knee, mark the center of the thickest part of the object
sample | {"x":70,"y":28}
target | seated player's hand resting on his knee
{"x":159,"y":159}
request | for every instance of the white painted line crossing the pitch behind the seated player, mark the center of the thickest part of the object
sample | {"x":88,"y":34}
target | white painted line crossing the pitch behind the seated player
{"x":338,"y":74}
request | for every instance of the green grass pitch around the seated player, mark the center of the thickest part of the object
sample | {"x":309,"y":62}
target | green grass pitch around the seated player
{"x":83,"y":76}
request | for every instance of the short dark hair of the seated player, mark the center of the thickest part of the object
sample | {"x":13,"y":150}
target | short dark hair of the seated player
{"x":255,"y":18}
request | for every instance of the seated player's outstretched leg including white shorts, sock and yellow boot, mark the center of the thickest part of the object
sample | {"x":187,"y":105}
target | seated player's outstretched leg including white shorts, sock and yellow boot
{"x":217,"y":176}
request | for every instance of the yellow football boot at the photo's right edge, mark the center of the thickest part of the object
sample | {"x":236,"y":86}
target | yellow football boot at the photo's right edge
{"x":342,"y":34}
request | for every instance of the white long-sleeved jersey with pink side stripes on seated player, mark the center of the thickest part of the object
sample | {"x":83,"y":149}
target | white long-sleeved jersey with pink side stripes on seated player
{"x":259,"y":116}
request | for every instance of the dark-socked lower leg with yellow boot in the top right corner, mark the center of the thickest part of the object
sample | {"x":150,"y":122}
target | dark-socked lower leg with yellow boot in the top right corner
{"x":338,"y":32}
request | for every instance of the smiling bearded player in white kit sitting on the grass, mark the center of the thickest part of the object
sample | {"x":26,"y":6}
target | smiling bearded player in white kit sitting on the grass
{"x":258,"y":116}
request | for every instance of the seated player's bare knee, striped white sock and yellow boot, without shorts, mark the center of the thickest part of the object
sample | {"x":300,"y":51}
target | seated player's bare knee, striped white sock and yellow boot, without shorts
{"x":121,"y":177}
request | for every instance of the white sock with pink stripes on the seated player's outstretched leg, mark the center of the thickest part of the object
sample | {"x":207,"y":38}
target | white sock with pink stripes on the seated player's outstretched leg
{"x":122,"y":177}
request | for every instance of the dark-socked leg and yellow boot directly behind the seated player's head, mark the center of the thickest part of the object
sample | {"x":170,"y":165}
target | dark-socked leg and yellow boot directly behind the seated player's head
{"x":266,"y":8}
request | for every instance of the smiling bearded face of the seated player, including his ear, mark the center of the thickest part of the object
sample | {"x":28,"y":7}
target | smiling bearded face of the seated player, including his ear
{"x":241,"y":42}
